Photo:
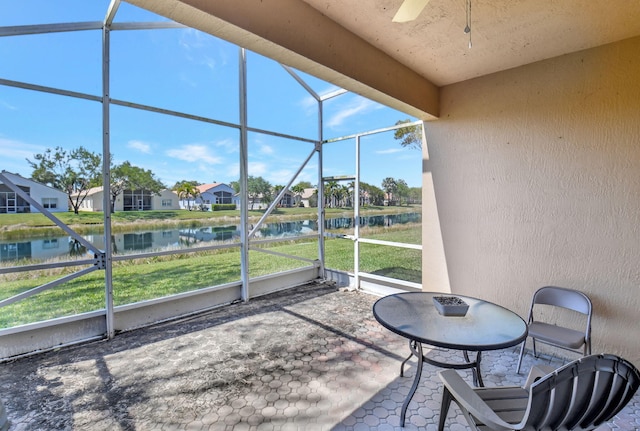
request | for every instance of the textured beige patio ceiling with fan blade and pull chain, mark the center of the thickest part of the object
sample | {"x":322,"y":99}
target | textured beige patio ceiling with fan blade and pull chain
{"x":505,"y":33}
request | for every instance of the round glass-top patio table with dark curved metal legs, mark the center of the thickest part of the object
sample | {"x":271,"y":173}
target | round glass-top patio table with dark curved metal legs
{"x":413,"y":315}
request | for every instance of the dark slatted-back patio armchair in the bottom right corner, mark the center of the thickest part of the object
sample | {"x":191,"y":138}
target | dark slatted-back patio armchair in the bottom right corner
{"x":580,"y":396}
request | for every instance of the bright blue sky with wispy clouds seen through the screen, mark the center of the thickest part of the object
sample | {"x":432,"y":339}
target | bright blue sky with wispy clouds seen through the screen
{"x":181,"y":70}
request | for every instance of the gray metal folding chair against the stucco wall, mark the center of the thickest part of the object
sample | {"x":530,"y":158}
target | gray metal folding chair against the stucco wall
{"x":559,"y":336}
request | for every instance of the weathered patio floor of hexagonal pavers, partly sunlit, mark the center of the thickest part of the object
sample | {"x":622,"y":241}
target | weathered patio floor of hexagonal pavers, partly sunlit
{"x":307,"y":358}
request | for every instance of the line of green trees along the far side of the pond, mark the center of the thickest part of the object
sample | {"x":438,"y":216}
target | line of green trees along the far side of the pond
{"x":78,"y":171}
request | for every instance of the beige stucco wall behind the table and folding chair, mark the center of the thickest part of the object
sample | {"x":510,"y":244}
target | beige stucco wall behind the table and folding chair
{"x":536,"y":175}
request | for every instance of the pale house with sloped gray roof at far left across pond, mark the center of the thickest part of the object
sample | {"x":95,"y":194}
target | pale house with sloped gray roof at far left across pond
{"x":51,"y":199}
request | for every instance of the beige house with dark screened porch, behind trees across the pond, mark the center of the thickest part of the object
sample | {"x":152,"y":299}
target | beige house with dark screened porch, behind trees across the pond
{"x":131,"y":200}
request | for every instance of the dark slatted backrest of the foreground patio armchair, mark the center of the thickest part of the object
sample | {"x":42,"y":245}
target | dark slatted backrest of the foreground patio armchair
{"x":582,"y":394}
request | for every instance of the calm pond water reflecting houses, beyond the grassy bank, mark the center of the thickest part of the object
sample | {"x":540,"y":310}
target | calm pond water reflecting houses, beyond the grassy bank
{"x":166,"y":239}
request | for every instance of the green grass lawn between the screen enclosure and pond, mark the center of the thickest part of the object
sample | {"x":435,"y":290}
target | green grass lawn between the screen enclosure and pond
{"x":142,"y":279}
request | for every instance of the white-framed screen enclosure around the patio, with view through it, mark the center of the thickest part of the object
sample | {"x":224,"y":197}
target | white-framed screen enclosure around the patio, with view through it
{"x":135,"y":88}
